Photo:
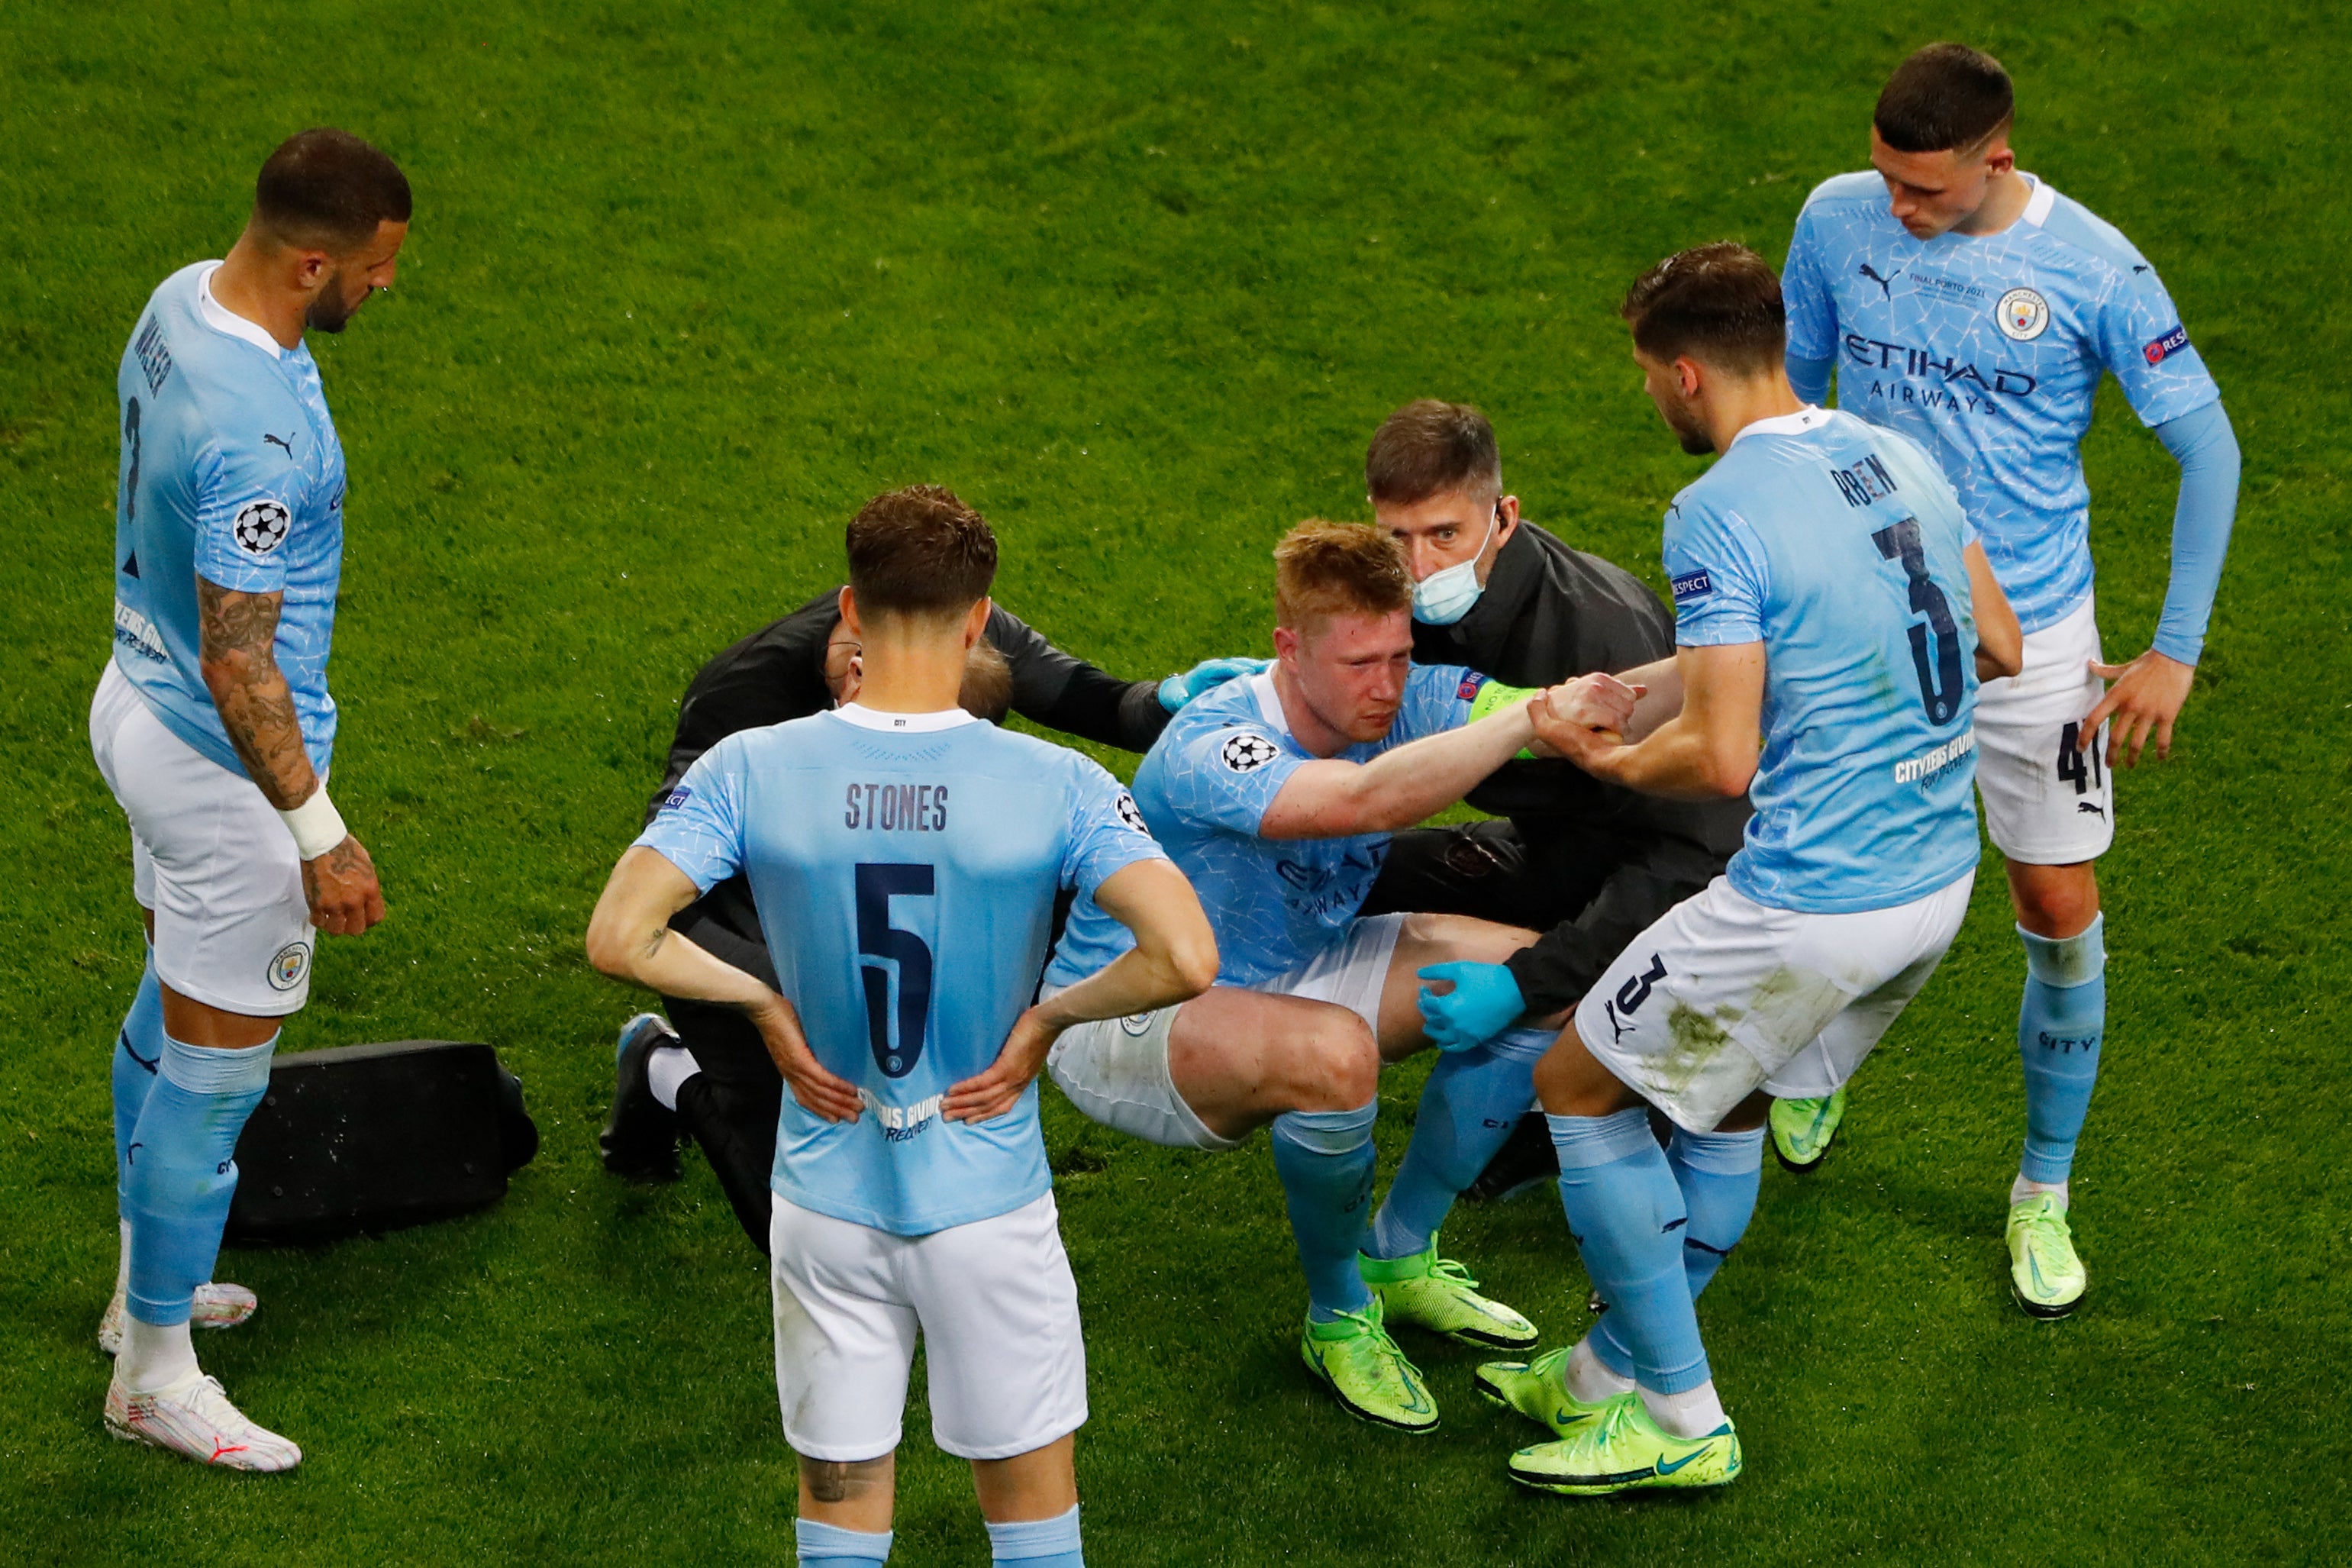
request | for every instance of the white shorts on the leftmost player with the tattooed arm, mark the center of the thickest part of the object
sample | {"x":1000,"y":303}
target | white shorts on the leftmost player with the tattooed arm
{"x":211,"y":859}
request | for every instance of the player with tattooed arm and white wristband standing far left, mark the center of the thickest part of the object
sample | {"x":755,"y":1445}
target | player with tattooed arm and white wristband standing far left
{"x":215,"y":732}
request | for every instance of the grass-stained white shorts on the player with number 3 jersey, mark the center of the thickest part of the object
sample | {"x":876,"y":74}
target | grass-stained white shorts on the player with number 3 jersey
{"x":1725,"y":996}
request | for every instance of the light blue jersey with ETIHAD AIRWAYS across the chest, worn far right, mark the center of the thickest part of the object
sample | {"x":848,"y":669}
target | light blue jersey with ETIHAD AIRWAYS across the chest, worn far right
{"x":1986,"y":351}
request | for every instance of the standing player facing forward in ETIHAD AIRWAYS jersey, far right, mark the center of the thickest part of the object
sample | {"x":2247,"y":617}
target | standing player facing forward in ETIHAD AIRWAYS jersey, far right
{"x":1975,"y":309}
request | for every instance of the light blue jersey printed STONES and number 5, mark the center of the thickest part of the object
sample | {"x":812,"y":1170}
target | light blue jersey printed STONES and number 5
{"x":904,"y":869}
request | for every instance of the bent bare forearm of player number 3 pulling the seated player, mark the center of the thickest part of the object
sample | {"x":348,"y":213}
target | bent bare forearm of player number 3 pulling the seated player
{"x":1706,"y":751}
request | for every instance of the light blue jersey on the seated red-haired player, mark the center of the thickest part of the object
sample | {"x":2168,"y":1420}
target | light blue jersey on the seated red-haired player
{"x":1205,"y":786}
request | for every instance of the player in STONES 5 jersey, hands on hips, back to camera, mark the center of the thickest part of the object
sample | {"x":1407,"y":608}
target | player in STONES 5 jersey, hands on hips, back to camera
{"x":904,"y":859}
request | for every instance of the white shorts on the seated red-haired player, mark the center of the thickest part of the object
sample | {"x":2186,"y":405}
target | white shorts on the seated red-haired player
{"x":1118,"y":1071}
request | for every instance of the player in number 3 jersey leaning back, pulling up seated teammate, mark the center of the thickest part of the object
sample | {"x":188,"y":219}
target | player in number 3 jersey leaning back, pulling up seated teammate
{"x":1833,"y":617}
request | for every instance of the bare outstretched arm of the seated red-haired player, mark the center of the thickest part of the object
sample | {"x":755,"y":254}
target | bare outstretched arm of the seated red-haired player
{"x":1335,"y":800}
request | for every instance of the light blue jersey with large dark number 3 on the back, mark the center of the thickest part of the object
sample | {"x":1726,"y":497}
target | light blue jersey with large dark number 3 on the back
{"x":1838,"y":547}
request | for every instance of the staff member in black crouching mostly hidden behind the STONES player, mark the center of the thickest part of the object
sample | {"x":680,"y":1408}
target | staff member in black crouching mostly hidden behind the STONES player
{"x":704,"y":1071}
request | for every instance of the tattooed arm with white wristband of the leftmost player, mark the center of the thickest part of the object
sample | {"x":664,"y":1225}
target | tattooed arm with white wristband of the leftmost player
{"x":239,"y":662}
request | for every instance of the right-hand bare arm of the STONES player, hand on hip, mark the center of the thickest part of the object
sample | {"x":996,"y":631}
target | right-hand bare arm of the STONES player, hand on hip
{"x":1175,"y":960}
